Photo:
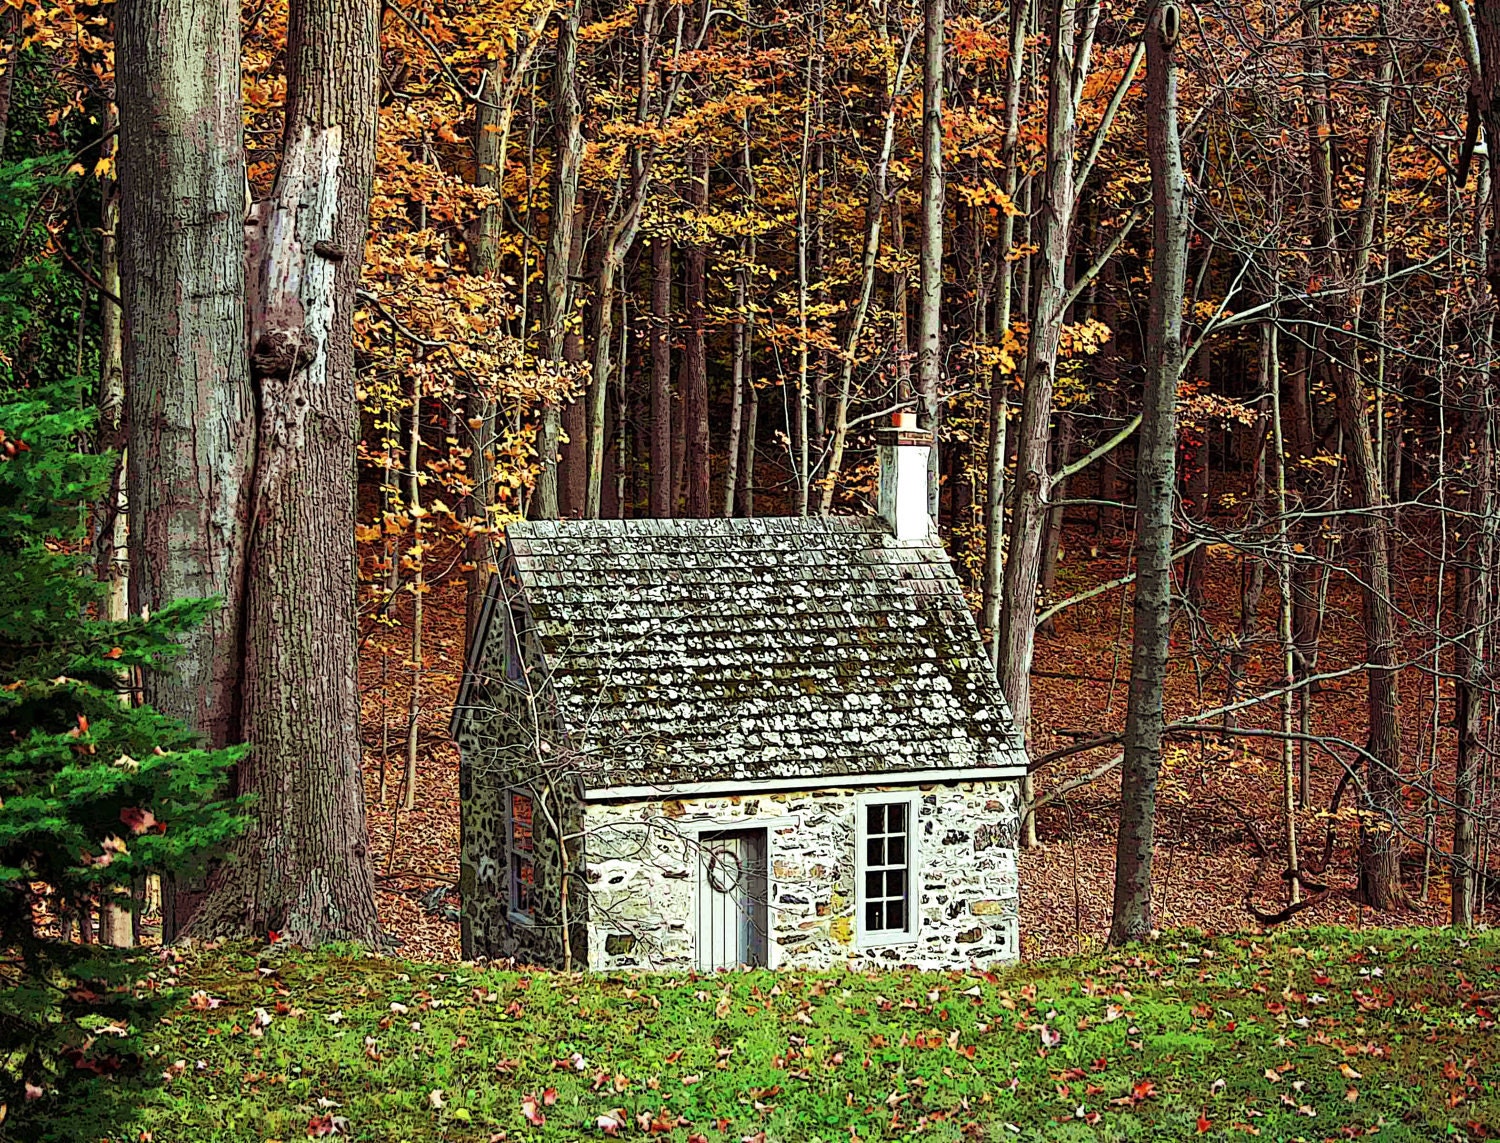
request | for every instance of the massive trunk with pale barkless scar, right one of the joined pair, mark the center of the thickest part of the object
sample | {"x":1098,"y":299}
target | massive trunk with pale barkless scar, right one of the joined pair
{"x":304,"y":869}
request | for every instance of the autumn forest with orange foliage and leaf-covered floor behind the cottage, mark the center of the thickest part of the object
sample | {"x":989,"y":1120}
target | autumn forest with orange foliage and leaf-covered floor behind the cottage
{"x":1198,"y":301}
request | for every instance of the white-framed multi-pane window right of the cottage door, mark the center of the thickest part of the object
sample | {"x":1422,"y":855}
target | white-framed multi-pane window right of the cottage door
{"x":886,"y":868}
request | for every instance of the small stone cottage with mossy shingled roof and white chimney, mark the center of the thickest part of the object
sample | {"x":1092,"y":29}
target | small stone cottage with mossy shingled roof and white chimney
{"x":694,"y":745}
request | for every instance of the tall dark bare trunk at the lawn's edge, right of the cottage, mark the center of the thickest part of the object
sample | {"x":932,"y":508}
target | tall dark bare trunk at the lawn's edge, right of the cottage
{"x":1154,"y":485}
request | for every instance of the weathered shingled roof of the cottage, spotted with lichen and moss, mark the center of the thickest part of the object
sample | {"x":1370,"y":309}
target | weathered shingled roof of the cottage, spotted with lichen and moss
{"x":778,"y":649}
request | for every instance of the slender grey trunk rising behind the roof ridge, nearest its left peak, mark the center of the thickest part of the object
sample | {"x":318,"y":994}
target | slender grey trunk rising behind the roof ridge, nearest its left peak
{"x":568,"y":160}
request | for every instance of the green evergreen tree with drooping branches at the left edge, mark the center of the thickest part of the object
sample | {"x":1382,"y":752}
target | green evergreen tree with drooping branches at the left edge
{"x":97,"y":790}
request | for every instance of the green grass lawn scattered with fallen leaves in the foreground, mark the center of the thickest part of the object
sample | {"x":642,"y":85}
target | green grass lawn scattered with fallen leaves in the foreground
{"x":1309,"y":1036}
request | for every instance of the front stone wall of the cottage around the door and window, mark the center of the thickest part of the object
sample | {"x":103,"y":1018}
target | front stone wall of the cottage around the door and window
{"x":643,"y":877}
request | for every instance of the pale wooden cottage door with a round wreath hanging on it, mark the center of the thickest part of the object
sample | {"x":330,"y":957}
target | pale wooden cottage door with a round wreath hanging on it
{"x":731,"y":925}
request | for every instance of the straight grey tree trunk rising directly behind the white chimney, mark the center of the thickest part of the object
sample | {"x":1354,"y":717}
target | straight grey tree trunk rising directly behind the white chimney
{"x":929,"y":290}
